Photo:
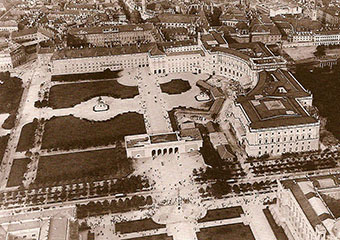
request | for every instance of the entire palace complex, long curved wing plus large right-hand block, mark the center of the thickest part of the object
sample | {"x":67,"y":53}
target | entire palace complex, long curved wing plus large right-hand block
{"x":272,"y":118}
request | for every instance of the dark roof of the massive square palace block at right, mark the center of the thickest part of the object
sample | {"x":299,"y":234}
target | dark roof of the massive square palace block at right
{"x":272,"y":103}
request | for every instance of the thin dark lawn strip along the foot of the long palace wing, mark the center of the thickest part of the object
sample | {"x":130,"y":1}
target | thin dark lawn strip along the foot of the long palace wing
{"x":107,"y":74}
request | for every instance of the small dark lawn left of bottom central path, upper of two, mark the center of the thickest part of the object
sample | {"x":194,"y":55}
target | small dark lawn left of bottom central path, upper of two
{"x":137,"y":226}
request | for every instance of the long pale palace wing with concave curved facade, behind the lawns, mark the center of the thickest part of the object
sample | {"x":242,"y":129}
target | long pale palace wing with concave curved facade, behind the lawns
{"x":210,"y":54}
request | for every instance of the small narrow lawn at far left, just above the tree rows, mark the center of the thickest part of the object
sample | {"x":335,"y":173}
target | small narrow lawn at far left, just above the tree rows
{"x":18,"y":169}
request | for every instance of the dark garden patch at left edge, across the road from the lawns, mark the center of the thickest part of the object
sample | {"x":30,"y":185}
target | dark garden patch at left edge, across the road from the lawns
{"x":10,"y":95}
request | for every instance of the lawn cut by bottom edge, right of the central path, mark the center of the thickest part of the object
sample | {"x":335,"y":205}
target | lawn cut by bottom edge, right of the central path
{"x":231,"y":232}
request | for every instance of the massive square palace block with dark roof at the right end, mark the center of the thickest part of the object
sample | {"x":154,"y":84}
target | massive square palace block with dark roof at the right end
{"x":273,"y":118}
